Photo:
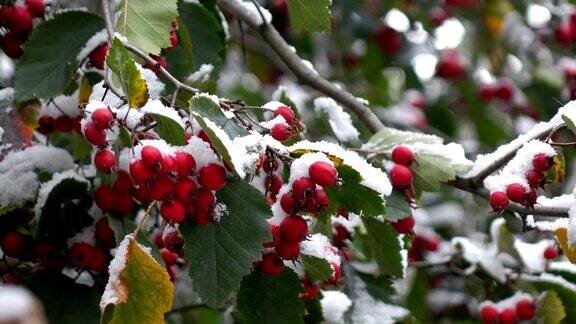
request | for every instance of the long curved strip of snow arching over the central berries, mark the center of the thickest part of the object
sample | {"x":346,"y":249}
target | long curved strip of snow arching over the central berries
{"x":372,"y":177}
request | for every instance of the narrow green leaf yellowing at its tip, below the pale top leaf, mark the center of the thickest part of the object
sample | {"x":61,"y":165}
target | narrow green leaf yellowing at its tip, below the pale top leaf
{"x":125,"y":70}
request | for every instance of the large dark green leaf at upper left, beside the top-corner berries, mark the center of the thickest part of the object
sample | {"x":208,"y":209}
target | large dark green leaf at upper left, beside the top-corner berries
{"x":49,"y":60}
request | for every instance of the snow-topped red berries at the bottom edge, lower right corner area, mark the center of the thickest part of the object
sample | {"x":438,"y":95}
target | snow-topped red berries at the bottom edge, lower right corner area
{"x":525,"y":310}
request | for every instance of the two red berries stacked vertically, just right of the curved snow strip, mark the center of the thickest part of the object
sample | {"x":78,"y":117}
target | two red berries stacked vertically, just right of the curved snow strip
{"x":400,"y":174}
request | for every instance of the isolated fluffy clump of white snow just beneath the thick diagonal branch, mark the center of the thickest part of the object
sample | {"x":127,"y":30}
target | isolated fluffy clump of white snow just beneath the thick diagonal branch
{"x":339,"y":120}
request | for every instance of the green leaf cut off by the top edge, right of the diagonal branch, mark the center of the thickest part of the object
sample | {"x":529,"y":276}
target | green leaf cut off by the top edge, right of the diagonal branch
{"x":310,"y":15}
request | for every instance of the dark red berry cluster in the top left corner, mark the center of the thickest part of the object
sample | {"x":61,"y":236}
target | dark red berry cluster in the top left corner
{"x":18,"y":20}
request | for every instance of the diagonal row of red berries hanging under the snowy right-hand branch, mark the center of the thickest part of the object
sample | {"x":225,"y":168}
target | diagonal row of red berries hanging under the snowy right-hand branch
{"x":516,"y":192}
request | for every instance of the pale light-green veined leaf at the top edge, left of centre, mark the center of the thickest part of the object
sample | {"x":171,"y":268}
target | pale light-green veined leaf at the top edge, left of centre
{"x":147,"y":23}
